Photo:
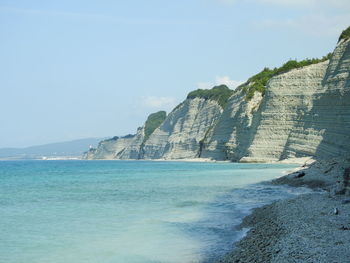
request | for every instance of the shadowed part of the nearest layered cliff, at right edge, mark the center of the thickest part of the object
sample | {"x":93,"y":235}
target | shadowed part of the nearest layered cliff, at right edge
{"x":332,"y":108}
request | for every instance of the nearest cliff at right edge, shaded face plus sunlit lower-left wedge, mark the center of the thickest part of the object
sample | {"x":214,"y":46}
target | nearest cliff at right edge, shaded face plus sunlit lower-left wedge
{"x":326,"y":126}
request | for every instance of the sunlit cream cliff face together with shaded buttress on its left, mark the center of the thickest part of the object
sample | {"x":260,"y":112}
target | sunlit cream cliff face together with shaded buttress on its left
{"x":261,"y":129}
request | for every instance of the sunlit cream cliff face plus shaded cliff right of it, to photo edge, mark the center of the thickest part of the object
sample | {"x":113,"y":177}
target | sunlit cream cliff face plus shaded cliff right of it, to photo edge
{"x":314,"y":118}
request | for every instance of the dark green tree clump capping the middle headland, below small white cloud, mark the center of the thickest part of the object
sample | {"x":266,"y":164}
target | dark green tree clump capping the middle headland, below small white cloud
{"x":221,"y":94}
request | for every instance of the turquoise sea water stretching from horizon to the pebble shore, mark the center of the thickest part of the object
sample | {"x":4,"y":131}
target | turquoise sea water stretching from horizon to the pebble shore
{"x":124,"y":211}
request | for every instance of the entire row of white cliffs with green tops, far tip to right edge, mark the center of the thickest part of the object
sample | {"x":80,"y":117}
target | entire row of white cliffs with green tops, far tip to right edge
{"x":279,"y":114}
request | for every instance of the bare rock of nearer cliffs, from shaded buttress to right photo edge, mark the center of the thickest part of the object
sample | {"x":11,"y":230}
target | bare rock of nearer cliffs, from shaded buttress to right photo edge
{"x":304,"y":112}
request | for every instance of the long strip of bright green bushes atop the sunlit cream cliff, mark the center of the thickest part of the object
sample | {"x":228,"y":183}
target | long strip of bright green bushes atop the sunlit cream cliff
{"x":259,"y":81}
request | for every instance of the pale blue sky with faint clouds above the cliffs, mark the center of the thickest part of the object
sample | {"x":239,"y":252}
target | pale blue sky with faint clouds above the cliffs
{"x":73,"y":69}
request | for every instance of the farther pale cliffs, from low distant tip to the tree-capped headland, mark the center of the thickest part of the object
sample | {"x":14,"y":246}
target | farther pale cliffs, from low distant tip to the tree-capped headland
{"x":179,"y":136}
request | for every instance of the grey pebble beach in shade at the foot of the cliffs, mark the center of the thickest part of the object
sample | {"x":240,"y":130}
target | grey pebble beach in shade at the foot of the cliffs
{"x":309,"y":228}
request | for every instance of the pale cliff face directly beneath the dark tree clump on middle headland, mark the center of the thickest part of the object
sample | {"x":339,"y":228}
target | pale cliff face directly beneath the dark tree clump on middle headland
{"x":182,"y":132}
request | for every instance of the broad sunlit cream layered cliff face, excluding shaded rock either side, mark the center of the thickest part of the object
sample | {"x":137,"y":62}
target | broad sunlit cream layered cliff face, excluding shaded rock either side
{"x":288,"y":99}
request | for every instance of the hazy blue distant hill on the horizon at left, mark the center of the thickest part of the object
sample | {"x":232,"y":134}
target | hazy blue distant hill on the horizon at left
{"x":61,"y":149}
